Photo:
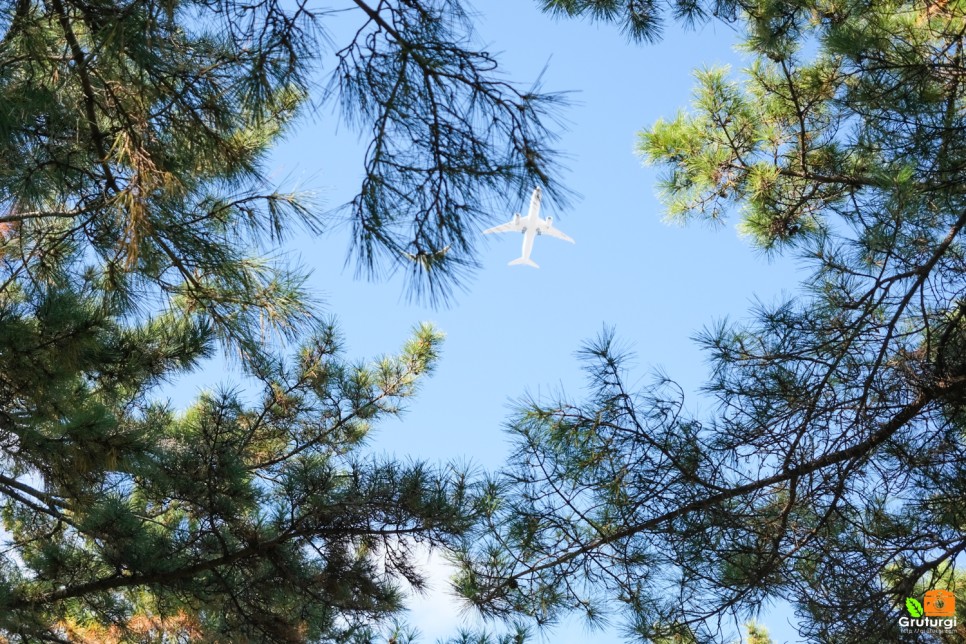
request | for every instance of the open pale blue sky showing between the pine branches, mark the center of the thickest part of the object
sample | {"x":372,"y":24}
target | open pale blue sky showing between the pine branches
{"x":516,"y":329}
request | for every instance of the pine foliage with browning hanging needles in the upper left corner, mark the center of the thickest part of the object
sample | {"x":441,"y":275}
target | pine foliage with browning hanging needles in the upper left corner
{"x":139,"y":144}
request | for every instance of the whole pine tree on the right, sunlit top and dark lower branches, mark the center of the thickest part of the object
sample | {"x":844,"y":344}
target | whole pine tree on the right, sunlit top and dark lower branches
{"x":830,"y":470}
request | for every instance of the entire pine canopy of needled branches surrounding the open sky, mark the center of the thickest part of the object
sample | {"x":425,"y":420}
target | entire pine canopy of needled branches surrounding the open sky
{"x":136,"y":232}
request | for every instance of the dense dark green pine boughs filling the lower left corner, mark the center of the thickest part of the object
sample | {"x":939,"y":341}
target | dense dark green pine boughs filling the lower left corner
{"x":147,"y":513}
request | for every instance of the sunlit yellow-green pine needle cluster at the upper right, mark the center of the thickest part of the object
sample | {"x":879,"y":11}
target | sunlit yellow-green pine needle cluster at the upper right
{"x":750,"y":129}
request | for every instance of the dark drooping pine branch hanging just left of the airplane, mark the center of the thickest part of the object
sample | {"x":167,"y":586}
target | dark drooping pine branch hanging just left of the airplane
{"x":447,"y":135}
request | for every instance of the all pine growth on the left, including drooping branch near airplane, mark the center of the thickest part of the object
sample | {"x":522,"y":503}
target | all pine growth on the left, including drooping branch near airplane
{"x":136,"y":227}
